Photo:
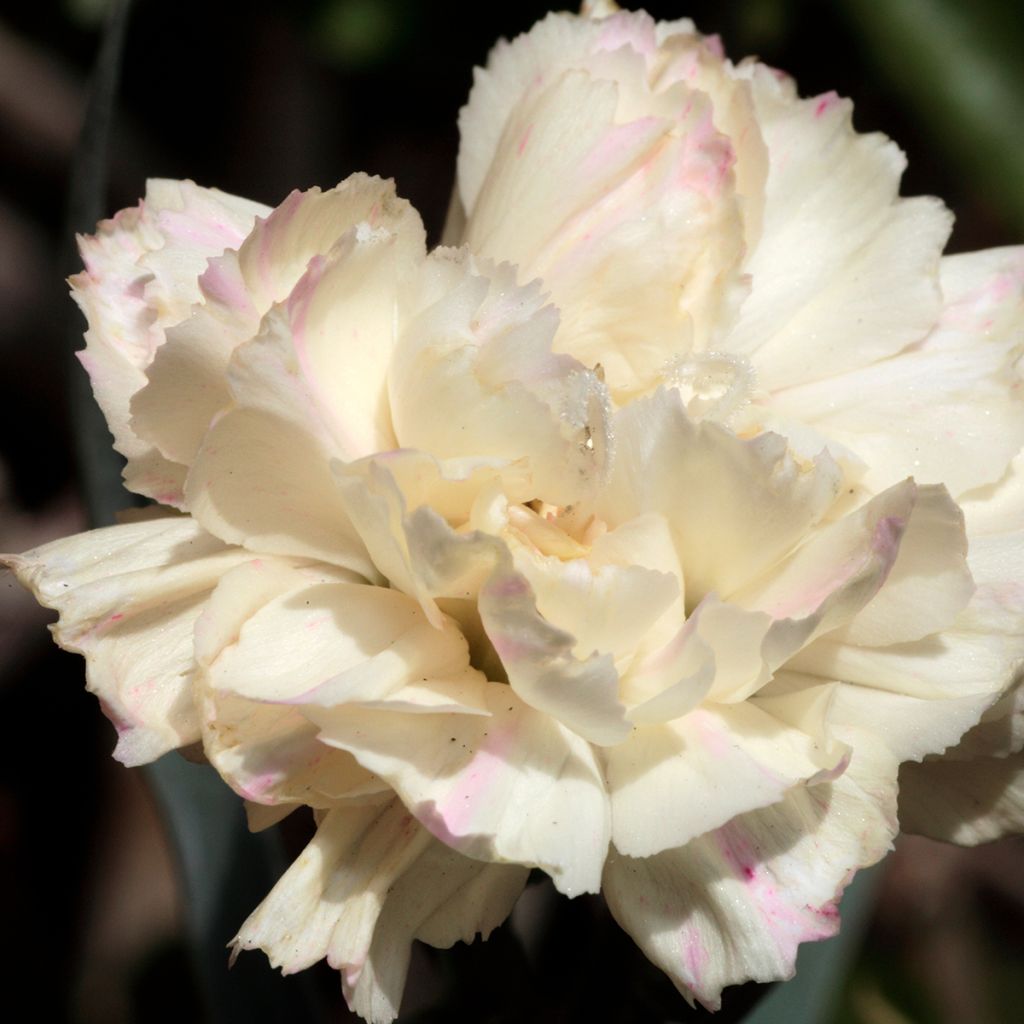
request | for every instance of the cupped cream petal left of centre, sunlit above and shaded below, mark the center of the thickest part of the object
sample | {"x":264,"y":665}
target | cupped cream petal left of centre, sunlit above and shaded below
{"x":302,"y":400}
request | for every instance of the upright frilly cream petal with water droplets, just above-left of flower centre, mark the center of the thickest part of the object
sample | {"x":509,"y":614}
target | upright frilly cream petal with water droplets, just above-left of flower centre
{"x":474,"y":376}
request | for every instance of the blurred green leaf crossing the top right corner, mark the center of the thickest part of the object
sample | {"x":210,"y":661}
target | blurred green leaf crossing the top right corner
{"x":960,"y":68}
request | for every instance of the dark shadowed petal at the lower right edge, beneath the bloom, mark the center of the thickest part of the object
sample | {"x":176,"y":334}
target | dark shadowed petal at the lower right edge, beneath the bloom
{"x":965,"y":802}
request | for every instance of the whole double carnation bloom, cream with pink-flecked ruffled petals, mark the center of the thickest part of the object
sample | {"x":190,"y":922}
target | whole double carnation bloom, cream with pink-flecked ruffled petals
{"x":639,"y":534}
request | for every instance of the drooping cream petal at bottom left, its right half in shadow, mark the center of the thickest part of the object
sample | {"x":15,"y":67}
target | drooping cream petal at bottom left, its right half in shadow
{"x":368,"y":884}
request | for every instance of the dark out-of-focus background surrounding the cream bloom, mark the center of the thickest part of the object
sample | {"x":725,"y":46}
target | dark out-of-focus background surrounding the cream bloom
{"x":259,"y":99}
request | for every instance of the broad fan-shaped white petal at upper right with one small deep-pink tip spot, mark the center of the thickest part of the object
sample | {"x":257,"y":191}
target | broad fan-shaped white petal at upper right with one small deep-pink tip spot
{"x":845,"y":272}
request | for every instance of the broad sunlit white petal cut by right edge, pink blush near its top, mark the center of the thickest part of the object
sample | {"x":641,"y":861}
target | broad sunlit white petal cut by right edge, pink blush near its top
{"x":948,"y":410}
